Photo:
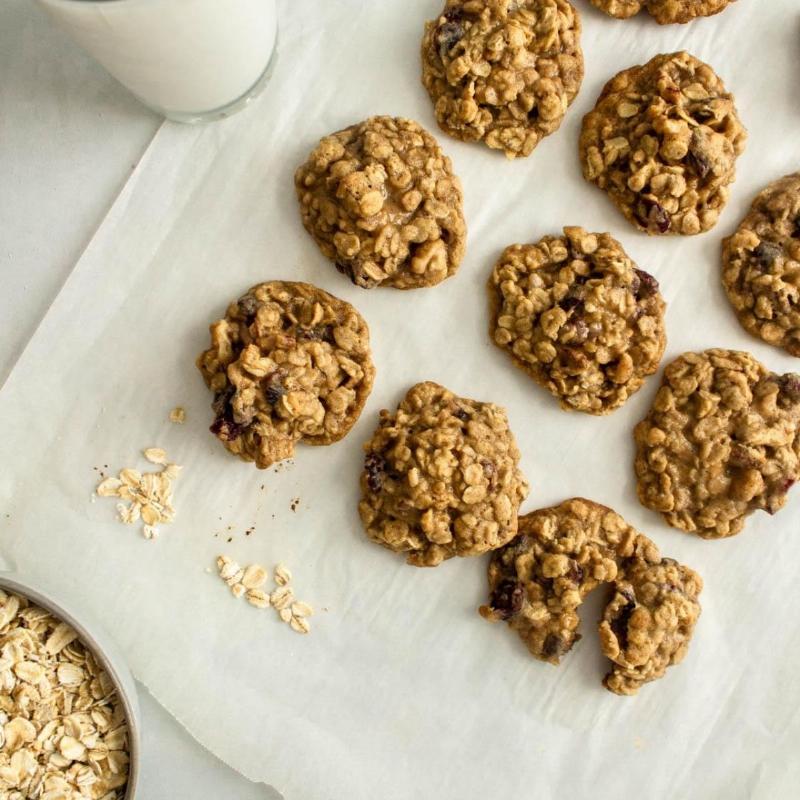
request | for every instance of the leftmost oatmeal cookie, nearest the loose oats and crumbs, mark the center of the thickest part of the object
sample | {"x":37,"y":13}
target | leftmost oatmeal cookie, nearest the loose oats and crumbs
{"x":288,"y":362}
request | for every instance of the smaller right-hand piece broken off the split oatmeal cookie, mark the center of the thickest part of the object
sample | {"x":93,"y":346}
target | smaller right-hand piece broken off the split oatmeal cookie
{"x":648,"y":623}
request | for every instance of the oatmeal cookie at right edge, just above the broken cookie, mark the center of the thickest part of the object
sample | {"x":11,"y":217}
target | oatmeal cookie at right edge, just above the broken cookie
{"x":721,"y":440}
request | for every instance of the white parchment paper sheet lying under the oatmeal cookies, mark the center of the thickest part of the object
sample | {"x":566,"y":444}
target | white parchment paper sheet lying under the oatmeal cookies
{"x":401,"y":690}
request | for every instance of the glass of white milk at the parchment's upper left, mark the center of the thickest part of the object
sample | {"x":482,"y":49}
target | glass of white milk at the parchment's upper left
{"x":190,"y":60}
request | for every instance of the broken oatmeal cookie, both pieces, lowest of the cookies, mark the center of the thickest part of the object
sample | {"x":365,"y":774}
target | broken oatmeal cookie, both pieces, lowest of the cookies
{"x":538,"y":581}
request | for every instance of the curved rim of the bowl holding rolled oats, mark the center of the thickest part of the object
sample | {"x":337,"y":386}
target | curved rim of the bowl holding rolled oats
{"x":11,"y":581}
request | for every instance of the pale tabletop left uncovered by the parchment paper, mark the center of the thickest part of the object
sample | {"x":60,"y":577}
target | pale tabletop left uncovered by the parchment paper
{"x":69,"y":138}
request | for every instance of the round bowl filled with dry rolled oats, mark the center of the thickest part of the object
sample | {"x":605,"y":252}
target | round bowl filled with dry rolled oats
{"x":68,"y":708}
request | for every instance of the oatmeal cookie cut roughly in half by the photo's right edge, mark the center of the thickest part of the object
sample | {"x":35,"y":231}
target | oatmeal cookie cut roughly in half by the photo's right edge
{"x":761,"y":266}
